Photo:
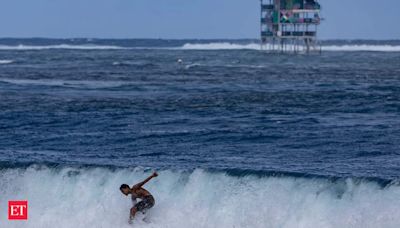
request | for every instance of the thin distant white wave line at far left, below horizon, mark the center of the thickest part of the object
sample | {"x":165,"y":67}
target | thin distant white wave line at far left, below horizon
{"x":61,"y":46}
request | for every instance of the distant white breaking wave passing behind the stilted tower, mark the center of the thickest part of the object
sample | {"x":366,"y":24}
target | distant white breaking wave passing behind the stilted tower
{"x":255,"y":46}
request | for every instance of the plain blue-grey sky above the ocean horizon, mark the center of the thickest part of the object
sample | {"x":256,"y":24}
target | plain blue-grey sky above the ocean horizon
{"x":344,"y":19}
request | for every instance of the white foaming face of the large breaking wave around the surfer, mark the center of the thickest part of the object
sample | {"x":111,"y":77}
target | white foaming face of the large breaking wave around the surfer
{"x":78,"y":197}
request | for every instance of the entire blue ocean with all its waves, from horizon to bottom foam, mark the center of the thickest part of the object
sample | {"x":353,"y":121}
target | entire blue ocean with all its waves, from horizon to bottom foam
{"x":240,"y":137}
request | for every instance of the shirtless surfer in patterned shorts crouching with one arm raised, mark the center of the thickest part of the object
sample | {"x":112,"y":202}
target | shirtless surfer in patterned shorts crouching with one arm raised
{"x":137,"y":191}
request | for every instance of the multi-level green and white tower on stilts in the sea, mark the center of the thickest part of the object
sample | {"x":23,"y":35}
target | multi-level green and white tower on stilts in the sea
{"x":290,"y":25}
